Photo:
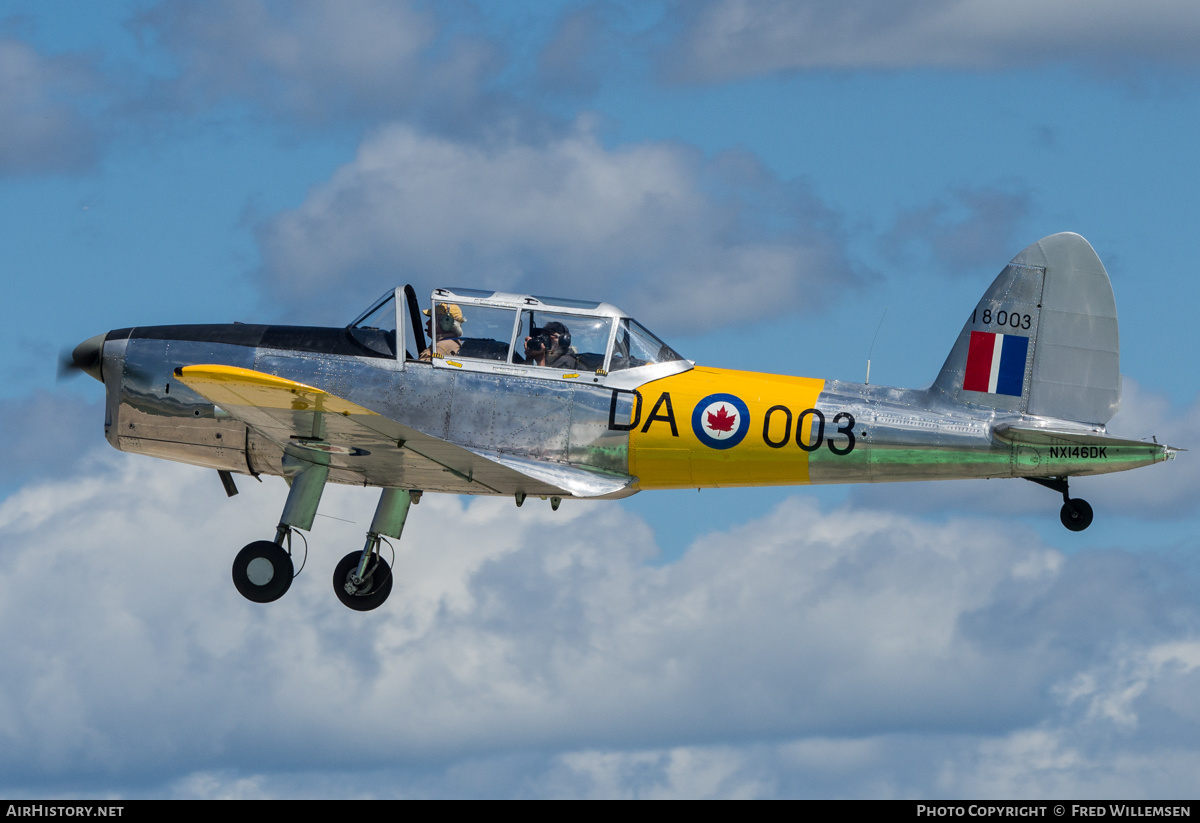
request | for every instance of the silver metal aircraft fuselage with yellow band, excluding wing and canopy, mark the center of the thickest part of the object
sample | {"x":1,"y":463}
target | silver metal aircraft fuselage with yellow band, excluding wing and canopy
{"x":898,"y":435}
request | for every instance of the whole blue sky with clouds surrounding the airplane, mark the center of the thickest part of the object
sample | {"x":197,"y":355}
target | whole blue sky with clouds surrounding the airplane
{"x":759,"y":183}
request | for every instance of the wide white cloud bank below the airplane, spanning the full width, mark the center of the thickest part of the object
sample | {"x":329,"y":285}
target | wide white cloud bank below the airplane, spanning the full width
{"x":529,"y":652}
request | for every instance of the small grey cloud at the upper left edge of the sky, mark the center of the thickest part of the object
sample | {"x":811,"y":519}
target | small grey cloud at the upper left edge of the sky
{"x":41,"y":107}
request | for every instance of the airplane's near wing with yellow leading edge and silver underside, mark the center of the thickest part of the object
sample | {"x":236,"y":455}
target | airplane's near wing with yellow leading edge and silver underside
{"x":363,"y":447}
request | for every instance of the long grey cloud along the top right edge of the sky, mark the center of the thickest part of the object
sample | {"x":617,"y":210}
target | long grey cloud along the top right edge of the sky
{"x":723,"y":40}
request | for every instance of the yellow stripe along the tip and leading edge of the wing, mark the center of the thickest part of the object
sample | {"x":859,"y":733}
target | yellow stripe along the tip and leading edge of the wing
{"x":230,"y":386}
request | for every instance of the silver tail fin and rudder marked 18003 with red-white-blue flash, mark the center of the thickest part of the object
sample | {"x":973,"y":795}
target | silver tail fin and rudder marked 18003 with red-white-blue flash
{"x":1043,"y":340}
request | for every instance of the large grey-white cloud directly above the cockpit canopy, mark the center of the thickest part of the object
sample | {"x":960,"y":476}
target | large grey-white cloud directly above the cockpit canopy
{"x":653,"y":227}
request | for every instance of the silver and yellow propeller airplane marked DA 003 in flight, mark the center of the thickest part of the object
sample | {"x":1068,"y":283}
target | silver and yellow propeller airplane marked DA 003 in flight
{"x":561,"y":399}
